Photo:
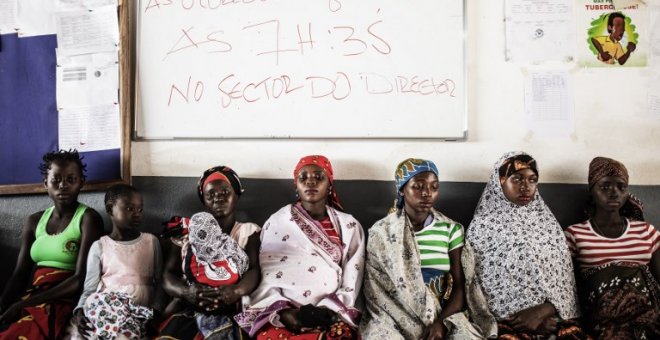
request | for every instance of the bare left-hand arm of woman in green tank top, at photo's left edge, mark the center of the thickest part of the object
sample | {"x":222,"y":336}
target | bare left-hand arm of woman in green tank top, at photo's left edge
{"x":19,"y":279}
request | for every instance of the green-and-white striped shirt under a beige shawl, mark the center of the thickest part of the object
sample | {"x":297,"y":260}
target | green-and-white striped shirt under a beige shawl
{"x":435,"y":241}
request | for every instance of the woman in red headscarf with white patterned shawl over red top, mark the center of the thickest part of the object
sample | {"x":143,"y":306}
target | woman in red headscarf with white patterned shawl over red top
{"x":312,"y":258}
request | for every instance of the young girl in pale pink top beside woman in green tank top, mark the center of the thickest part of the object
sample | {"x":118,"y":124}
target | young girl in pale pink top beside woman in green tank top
{"x":123,"y":271}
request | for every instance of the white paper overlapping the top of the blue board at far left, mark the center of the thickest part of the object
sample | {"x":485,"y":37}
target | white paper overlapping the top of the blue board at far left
{"x":35,"y":17}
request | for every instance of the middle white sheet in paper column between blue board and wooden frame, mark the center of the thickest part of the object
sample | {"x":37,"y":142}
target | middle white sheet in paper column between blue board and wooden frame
{"x":87,"y":80}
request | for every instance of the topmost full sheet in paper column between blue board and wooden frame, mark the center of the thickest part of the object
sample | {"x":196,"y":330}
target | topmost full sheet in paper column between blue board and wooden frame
{"x":87,"y":31}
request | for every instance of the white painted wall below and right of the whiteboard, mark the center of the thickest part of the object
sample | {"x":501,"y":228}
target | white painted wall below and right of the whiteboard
{"x":611,"y":120}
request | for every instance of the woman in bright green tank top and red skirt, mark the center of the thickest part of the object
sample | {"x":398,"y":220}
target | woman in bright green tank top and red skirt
{"x":54,"y":246}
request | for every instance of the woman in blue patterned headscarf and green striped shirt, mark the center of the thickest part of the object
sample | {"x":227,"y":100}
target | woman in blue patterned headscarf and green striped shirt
{"x":414,"y":280}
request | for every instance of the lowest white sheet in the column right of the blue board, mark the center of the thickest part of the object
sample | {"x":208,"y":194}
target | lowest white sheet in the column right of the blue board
{"x":89,"y":128}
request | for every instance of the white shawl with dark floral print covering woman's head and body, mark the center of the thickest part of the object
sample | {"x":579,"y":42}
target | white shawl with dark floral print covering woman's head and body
{"x":521,"y":255}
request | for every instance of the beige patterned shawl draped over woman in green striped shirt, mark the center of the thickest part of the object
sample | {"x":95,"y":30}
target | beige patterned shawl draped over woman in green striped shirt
{"x":399,"y":304}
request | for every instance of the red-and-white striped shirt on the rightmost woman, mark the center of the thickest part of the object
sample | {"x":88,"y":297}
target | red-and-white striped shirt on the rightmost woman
{"x":637,"y":244}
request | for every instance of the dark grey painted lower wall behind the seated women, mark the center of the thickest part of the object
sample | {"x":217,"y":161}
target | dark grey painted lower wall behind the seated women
{"x":368,"y":201}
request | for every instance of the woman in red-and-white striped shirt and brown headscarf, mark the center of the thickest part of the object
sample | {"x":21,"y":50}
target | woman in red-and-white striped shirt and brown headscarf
{"x":617,"y":254}
